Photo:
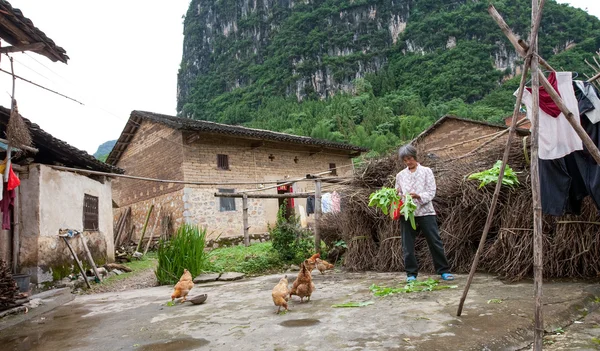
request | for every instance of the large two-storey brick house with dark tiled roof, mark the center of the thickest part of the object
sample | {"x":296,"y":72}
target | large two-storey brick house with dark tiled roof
{"x":182,"y":149}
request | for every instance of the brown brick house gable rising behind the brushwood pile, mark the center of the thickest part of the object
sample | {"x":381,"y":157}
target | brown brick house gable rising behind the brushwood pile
{"x":452,"y":136}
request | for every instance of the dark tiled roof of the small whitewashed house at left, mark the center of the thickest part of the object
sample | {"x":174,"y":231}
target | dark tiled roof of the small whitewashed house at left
{"x":53,"y":150}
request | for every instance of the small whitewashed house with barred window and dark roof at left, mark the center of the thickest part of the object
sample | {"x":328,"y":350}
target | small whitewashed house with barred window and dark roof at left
{"x":48,"y":200}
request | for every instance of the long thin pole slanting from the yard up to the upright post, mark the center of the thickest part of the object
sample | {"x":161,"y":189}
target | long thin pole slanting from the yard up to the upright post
{"x":488,"y":222}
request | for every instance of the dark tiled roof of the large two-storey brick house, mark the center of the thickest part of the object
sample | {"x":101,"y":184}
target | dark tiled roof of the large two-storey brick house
{"x":181,"y":123}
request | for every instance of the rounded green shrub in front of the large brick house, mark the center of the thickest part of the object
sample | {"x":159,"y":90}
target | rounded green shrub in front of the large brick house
{"x":290,"y":242}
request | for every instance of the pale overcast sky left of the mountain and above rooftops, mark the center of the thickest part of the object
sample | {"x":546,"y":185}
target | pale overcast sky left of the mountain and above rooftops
{"x":124,"y":56}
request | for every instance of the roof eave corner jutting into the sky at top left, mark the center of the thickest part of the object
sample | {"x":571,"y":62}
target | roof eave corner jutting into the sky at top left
{"x":19,"y":30}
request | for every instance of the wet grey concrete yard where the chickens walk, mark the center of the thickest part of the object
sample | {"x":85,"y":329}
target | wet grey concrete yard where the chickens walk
{"x":241,"y":316}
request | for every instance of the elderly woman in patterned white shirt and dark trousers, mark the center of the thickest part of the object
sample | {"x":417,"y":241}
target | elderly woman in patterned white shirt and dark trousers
{"x":418,"y":181}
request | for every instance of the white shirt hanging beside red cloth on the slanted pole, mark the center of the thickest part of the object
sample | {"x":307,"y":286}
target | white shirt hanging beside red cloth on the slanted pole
{"x":557,"y":138}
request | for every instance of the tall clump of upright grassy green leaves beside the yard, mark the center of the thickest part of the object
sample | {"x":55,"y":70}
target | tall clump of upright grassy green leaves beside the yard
{"x":184,"y":251}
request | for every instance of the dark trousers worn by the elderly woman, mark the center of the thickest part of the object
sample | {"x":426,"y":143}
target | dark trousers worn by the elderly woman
{"x":428,"y":226}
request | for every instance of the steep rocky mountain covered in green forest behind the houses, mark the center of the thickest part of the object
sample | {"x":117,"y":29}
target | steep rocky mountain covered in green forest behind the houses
{"x":371,"y":72}
